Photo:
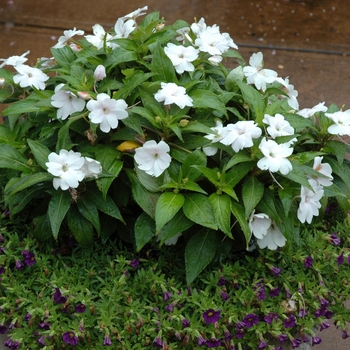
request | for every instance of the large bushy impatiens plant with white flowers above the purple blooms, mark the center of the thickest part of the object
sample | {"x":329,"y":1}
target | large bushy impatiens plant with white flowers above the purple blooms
{"x":143,"y":131}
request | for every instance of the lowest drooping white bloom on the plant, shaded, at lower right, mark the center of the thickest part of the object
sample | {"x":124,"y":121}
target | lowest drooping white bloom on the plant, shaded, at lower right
{"x":265,"y":231}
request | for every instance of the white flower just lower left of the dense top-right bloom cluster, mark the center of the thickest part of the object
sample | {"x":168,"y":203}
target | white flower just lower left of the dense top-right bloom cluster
{"x":181,"y":57}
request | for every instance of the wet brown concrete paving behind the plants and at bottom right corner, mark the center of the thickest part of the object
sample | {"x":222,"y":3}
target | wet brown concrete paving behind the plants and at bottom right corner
{"x":309,"y":41}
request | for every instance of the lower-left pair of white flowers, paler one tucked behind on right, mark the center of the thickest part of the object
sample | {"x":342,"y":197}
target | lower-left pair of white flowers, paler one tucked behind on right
{"x":69,"y":168}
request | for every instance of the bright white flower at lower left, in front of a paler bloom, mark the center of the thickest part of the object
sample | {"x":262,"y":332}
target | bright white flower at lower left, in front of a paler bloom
{"x":66,"y":167}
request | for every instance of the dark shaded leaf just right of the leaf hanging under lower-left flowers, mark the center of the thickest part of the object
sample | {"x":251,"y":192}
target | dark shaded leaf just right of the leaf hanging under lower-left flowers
{"x":80,"y":227}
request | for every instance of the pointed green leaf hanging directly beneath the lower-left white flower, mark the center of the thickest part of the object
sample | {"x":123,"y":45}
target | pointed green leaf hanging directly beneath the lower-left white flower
{"x":58,"y":208}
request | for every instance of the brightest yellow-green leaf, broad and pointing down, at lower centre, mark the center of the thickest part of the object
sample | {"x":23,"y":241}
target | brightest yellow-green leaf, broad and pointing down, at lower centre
{"x":168,"y":204}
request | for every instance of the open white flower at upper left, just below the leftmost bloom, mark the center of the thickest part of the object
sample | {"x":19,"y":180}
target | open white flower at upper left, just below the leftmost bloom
{"x":29,"y":76}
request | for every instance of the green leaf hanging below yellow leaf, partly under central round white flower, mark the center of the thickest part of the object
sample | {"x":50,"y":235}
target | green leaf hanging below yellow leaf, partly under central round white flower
{"x":145,"y":199}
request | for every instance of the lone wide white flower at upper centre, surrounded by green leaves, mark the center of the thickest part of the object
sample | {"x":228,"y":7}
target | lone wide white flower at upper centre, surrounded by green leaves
{"x":172,"y":93}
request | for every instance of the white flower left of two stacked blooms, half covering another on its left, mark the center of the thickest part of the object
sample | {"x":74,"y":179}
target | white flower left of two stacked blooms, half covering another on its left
{"x":241,"y":134}
